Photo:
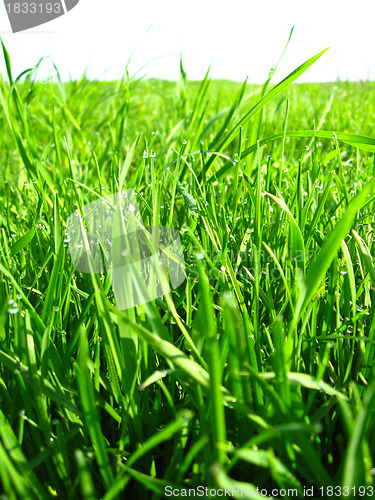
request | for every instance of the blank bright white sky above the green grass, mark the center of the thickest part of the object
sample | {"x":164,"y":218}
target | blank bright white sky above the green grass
{"x":241,"y":38}
